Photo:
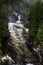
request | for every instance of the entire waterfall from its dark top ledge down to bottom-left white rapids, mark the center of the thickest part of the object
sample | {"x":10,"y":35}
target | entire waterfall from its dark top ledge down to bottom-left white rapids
{"x":18,"y":34}
